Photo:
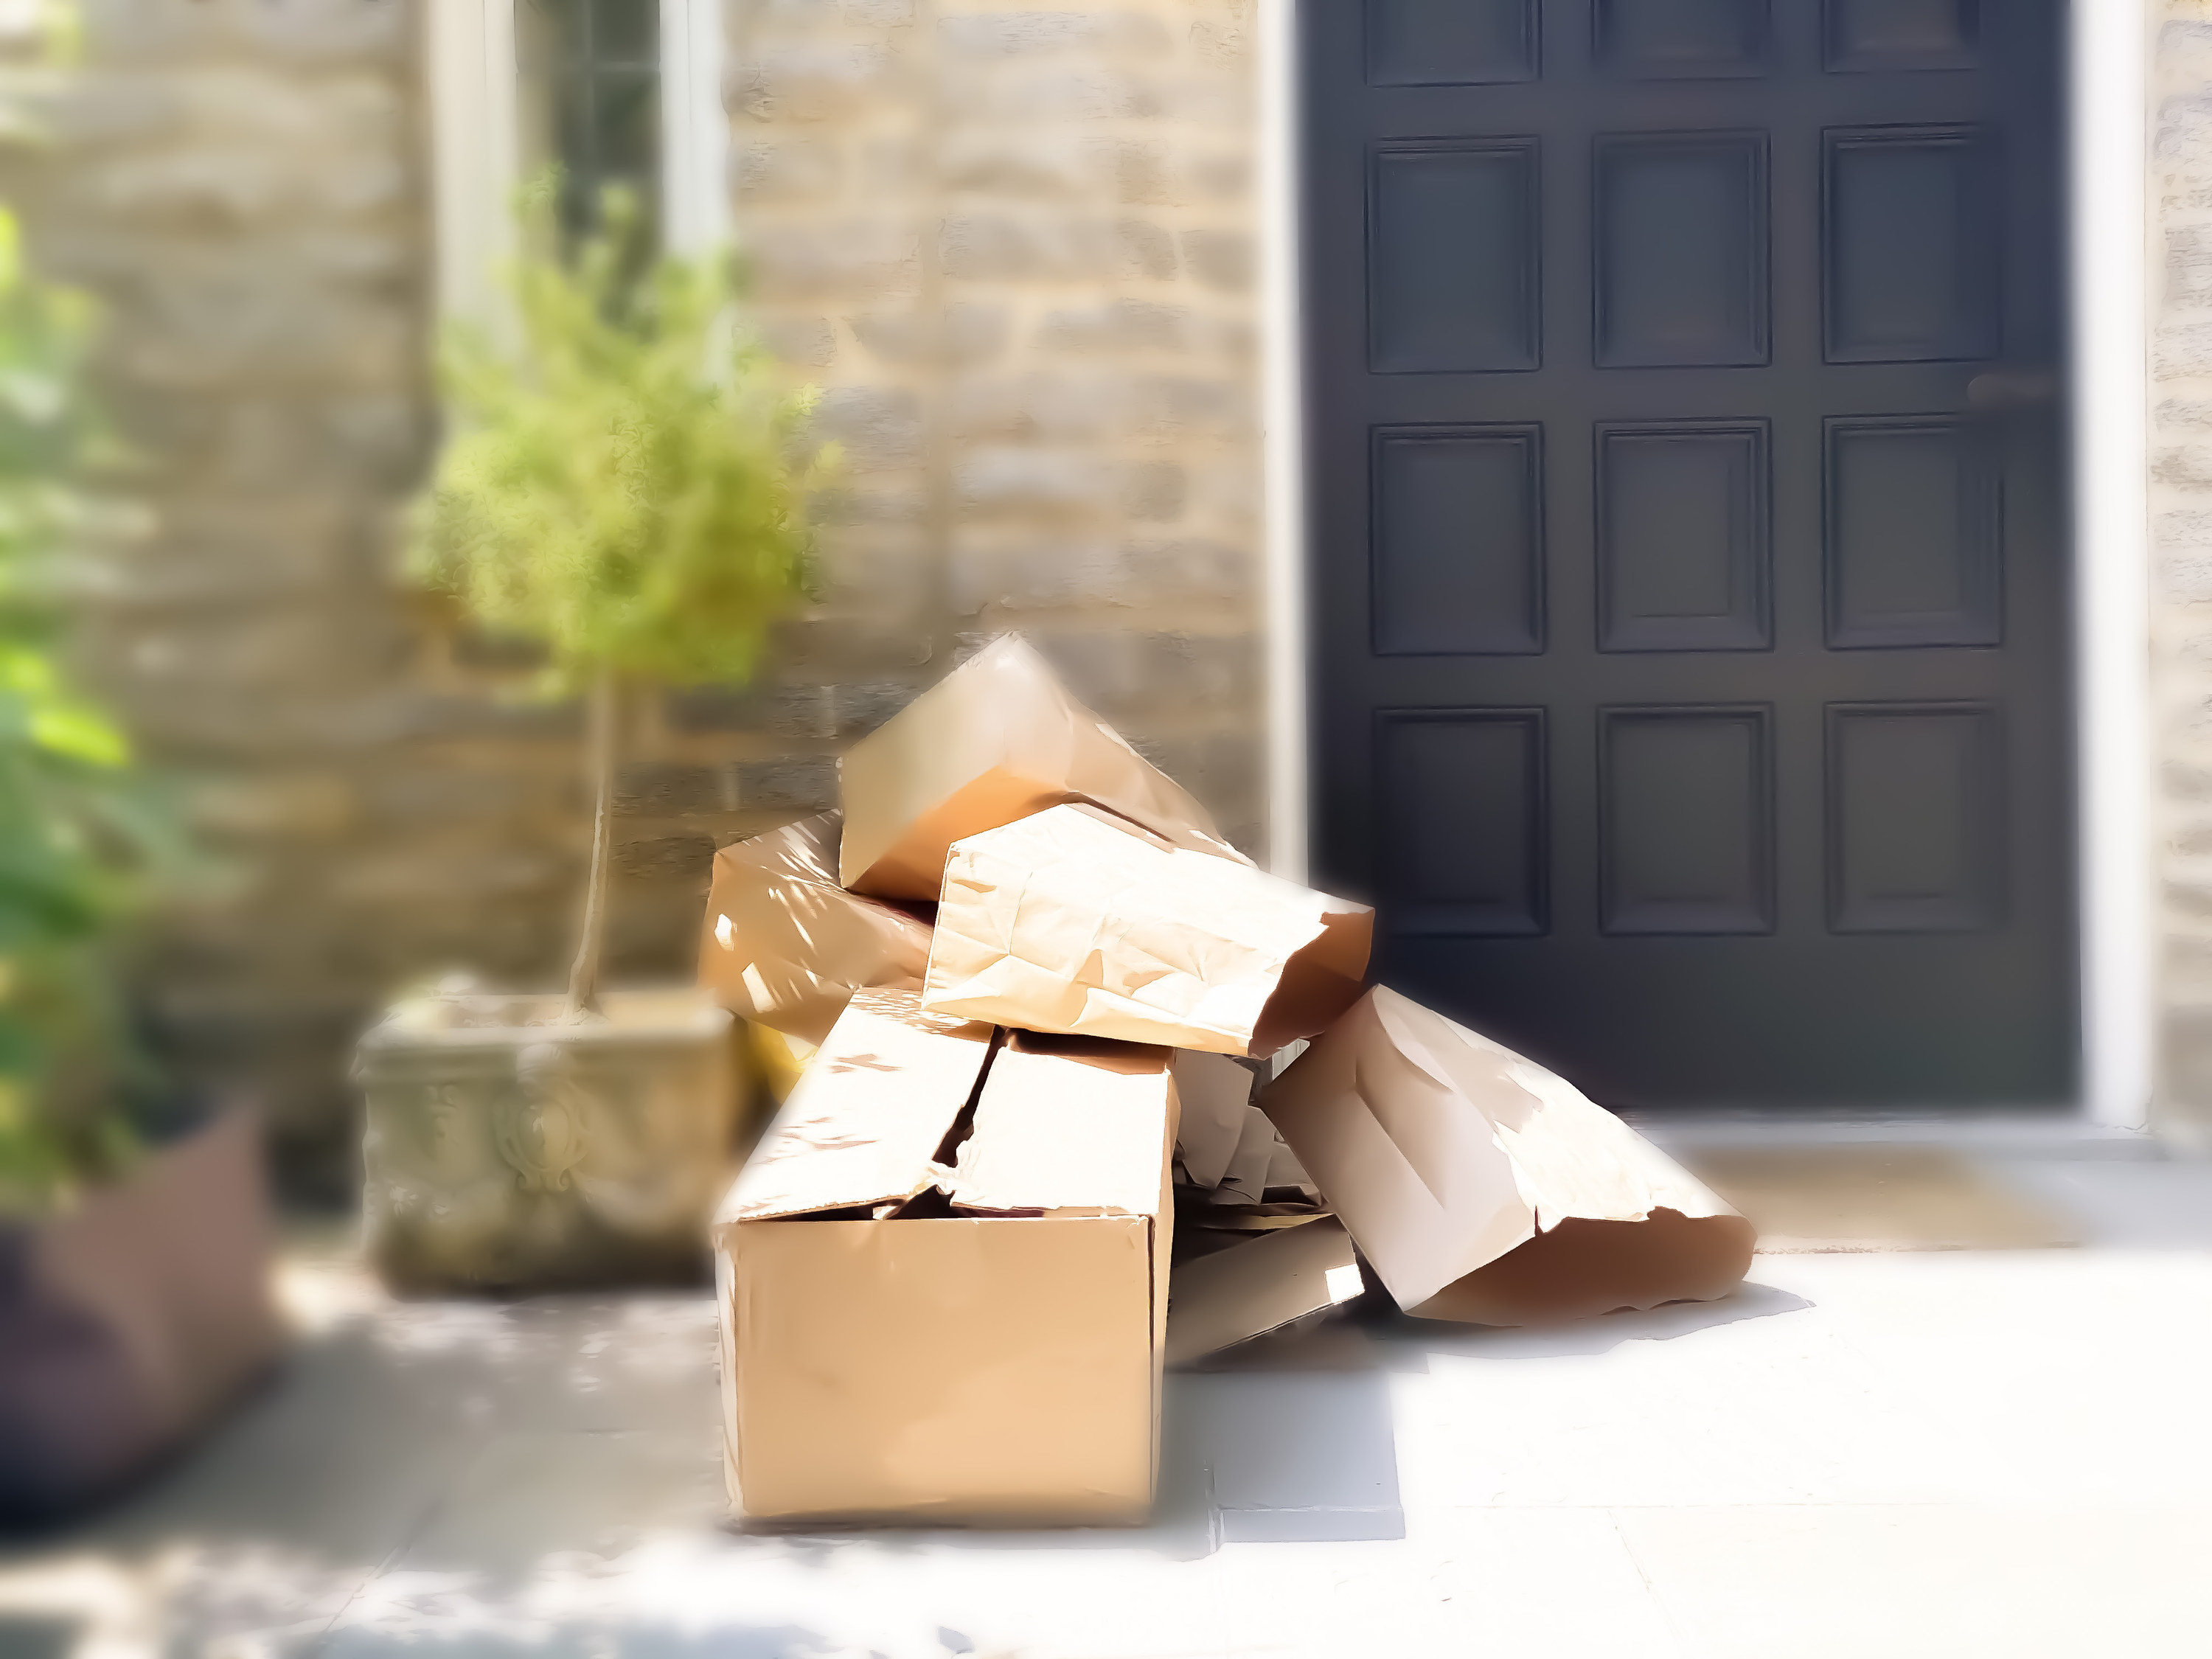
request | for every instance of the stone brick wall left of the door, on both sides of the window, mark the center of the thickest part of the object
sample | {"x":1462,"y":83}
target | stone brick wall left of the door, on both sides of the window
{"x":1012,"y":247}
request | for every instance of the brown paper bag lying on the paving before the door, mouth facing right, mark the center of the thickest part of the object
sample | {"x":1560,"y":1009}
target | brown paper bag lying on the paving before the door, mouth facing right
{"x":1488,"y":1189}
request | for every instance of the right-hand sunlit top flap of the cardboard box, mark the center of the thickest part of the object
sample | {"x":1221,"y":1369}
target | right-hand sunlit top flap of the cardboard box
{"x":1070,"y":1134}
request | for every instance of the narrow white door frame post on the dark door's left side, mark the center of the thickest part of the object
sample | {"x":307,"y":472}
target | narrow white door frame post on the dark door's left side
{"x":1284,"y":450}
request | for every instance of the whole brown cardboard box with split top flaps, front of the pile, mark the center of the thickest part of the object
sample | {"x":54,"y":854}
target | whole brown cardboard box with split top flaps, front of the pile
{"x":946,"y":1282}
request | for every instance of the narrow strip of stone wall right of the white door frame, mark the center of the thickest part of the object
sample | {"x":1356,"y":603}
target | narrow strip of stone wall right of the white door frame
{"x":2182,"y":536}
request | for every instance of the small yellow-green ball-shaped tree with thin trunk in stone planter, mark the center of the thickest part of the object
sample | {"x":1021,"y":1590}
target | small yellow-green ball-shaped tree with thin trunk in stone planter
{"x":623,"y":486}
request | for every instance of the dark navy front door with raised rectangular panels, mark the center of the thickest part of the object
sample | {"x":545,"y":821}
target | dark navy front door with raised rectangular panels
{"x":1691,"y":676}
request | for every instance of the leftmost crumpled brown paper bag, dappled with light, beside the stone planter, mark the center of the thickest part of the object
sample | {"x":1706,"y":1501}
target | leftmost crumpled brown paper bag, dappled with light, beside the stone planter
{"x":786,"y":946}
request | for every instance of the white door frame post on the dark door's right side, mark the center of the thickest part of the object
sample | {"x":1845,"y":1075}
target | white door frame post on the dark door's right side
{"x":2111,"y":461}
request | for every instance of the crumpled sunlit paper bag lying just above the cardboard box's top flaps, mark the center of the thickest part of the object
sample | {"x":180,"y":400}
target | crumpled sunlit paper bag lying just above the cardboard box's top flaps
{"x":1076,"y":921}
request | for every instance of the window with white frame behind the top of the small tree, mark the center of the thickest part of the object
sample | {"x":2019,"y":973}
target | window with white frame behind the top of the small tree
{"x":616,"y":92}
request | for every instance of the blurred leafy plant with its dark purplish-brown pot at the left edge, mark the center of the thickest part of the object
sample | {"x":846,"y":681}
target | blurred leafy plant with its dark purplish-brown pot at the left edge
{"x":134,"y":1231}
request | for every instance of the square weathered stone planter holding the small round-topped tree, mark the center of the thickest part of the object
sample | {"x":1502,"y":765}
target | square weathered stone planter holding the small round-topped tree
{"x":512,"y":1154}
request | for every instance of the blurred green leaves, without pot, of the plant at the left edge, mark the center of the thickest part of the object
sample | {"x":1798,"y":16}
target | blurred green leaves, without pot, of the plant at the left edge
{"x":83,"y":837}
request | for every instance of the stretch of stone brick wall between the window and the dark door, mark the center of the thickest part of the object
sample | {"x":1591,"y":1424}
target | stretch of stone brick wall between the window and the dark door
{"x":1016,"y":253}
